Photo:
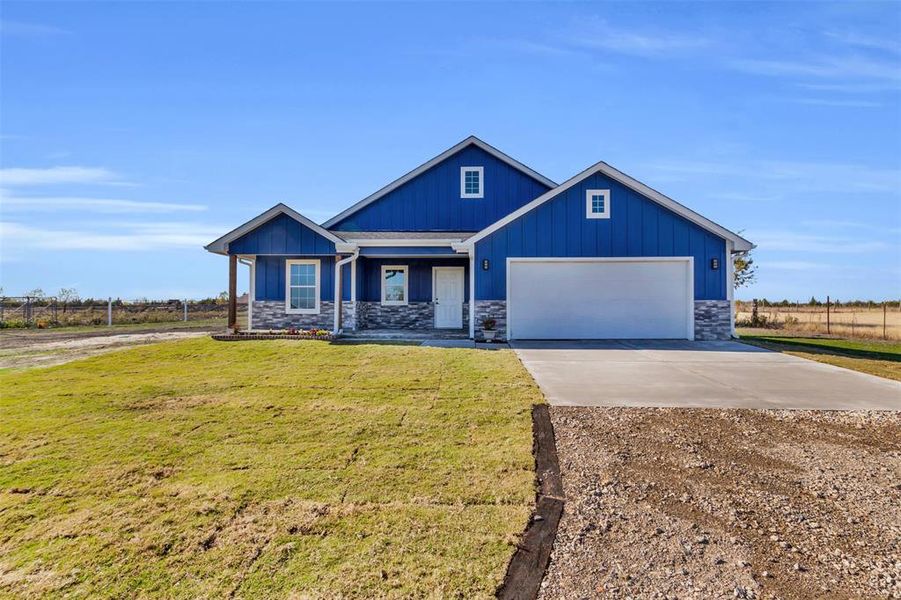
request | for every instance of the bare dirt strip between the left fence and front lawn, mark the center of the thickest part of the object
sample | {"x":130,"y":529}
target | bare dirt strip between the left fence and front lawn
{"x":23,"y":351}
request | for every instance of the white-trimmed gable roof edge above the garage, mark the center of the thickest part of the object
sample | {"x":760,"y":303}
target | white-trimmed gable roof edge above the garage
{"x":740,"y":243}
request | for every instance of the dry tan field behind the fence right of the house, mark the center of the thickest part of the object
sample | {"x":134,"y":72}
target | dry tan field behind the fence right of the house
{"x":853,"y":322}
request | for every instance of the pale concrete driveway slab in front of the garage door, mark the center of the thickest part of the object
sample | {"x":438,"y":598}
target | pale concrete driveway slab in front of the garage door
{"x":696,"y":374}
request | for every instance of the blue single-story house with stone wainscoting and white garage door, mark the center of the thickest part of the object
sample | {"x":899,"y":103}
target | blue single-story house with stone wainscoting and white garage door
{"x":474,"y":240}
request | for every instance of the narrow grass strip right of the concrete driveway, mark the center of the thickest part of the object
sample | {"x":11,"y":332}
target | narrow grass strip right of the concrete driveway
{"x":868,"y":356}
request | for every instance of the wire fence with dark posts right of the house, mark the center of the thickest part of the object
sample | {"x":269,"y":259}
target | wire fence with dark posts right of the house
{"x":870,"y":320}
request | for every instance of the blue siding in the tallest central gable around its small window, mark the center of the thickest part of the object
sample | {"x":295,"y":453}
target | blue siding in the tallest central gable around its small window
{"x":431,"y":201}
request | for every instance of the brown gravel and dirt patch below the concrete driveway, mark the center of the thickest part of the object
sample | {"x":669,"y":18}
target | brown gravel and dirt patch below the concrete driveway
{"x":696,"y":503}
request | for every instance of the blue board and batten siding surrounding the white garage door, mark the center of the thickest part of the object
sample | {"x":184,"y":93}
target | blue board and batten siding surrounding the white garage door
{"x":637,"y":226}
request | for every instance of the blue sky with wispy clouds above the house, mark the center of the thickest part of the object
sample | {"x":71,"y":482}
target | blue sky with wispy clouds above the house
{"x":134,"y":133}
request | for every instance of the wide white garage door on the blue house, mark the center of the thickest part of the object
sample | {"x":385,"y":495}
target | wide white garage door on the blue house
{"x":600,"y":298}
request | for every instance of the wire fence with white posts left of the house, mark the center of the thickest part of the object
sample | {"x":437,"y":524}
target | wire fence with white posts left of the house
{"x":30,"y":311}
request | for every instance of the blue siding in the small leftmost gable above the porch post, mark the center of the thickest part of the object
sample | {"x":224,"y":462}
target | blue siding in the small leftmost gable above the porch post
{"x":282,"y":235}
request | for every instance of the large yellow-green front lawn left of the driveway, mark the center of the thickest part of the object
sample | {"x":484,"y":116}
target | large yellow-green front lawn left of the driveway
{"x":271,"y":468}
